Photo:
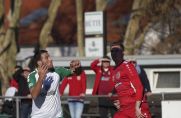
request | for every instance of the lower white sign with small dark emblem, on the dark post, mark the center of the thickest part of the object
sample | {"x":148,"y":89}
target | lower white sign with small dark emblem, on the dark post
{"x":94,"y":47}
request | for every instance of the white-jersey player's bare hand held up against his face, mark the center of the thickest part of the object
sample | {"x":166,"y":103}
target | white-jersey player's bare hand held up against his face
{"x":42,"y":70}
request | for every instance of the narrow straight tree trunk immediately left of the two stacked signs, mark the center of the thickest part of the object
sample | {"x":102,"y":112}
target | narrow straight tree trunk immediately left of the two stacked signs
{"x":80,"y":37}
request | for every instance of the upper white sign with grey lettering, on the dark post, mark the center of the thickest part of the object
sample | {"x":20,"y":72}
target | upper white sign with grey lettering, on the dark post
{"x":93,"y":23}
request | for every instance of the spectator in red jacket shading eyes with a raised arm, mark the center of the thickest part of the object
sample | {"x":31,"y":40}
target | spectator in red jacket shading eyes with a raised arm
{"x":103,"y":85}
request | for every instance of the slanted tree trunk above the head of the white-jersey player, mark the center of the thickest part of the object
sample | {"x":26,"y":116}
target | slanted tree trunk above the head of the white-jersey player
{"x":45,"y":35}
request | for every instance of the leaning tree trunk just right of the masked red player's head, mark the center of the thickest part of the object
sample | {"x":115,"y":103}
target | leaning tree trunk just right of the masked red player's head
{"x":133,"y":25}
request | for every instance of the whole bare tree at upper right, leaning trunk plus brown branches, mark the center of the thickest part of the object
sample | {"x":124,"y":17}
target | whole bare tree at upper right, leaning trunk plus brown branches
{"x":145,"y":36}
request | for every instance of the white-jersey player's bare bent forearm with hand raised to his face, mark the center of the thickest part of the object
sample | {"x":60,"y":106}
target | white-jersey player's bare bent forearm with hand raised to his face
{"x":36,"y":89}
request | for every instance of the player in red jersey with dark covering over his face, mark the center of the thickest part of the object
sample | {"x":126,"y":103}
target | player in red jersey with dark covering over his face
{"x":127,"y":85}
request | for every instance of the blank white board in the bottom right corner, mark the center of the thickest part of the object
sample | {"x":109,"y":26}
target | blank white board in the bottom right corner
{"x":171,"y":109}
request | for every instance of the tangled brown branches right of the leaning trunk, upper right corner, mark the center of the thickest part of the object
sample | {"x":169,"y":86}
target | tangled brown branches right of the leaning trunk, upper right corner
{"x":163,"y":30}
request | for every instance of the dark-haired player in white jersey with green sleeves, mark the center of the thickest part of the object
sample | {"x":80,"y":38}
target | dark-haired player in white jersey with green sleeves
{"x":43,"y":83}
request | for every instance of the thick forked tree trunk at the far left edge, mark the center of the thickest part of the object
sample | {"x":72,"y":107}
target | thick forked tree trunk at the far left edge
{"x":8,"y":48}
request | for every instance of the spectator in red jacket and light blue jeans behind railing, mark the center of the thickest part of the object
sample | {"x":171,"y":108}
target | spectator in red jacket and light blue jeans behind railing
{"x":77,"y":89}
